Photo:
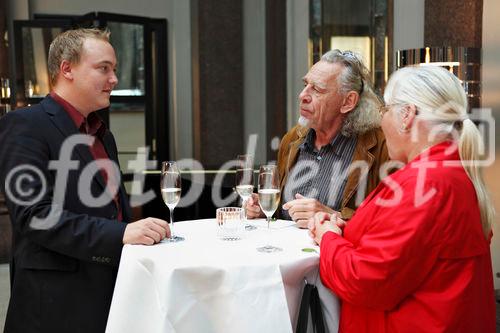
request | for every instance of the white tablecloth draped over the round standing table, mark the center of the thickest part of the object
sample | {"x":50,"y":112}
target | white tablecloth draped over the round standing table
{"x":205,"y":284}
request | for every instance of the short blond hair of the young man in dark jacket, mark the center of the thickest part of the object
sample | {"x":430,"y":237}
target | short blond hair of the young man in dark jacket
{"x":68,"y":46}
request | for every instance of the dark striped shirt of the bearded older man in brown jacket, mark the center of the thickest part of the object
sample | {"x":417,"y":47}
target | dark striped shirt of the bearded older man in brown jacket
{"x":322,"y":174}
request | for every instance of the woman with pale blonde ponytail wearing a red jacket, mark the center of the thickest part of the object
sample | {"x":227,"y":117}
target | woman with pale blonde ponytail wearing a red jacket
{"x":416,"y":255}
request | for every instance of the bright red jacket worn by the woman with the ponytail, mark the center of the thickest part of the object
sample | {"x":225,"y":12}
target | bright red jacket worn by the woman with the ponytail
{"x":418,"y":264}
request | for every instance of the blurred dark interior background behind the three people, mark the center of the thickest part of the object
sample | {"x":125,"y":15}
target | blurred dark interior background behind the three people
{"x":198,"y":77}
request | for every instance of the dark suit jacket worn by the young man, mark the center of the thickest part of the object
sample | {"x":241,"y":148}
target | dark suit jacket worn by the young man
{"x":62,"y":278}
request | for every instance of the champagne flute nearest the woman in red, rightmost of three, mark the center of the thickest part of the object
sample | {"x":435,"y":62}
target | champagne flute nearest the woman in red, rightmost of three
{"x":269,"y":198}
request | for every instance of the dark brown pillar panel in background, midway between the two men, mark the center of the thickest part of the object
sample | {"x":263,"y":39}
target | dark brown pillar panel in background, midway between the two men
{"x":217,"y":46}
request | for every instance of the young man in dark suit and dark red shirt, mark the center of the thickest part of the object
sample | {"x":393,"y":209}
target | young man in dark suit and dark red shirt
{"x":69,"y":211}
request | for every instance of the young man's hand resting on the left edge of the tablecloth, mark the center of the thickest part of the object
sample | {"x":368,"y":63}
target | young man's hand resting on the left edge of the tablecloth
{"x":147,"y":231}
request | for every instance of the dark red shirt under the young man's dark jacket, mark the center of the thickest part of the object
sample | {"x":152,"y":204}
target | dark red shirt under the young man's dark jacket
{"x":93,"y":125}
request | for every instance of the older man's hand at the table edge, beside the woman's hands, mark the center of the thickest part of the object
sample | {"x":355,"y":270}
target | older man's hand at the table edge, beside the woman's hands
{"x":302,"y":209}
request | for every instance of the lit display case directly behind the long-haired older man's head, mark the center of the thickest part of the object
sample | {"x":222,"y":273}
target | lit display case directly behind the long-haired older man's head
{"x":364,"y":27}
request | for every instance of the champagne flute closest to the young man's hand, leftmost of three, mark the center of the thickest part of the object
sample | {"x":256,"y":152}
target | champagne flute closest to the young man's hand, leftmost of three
{"x":170,"y":185}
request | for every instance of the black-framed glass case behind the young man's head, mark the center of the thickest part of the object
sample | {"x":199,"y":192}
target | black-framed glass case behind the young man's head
{"x":138,"y":114}
